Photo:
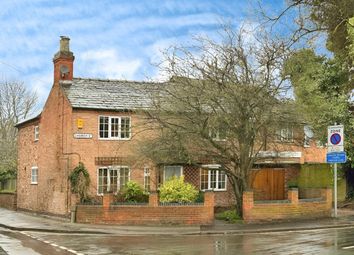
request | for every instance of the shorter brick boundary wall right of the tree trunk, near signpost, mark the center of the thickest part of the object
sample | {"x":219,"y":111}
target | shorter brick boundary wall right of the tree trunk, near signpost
{"x":292,"y":208}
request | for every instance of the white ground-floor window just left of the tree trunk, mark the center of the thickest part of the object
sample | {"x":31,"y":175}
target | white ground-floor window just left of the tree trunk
{"x":212,"y":180}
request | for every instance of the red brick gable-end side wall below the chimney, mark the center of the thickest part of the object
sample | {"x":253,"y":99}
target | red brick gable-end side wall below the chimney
{"x":50,"y":194}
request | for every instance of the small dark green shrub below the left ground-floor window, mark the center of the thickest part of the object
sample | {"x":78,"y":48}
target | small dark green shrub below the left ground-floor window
{"x":132,"y":192}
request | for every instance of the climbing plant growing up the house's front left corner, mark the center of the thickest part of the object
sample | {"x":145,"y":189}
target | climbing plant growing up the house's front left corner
{"x":80,"y":181}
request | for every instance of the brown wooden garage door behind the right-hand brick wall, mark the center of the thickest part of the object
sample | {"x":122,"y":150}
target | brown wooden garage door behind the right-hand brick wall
{"x":268,"y":184}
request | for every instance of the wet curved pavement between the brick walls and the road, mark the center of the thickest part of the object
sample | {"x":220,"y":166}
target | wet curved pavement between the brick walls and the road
{"x":24,"y":221}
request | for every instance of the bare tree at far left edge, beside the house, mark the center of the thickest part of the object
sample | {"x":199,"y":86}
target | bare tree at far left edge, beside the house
{"x":16,"y":103}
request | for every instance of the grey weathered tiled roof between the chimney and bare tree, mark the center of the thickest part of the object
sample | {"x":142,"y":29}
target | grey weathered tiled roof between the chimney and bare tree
{"x":109,"y":94}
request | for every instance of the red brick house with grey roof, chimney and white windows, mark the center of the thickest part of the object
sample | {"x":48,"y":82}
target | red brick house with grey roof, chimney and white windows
{"x":97,"y":122}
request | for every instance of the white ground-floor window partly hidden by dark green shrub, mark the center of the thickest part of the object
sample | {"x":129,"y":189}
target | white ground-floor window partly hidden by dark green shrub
{"x":112,"y":179}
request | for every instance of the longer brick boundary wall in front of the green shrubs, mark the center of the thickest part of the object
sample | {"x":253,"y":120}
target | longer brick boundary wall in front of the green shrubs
{"x":152,"y":213}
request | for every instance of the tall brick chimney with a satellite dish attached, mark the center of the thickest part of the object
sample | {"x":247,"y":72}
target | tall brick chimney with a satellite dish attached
{"x":63,"y":61}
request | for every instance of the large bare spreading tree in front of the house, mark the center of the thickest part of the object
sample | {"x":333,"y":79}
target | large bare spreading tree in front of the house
{"x":222,"y":105}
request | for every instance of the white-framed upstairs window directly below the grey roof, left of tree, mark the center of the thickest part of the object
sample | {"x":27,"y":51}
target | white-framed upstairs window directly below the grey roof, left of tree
{"x":115,"y":128}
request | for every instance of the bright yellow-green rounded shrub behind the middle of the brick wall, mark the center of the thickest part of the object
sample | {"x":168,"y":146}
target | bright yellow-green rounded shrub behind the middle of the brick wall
{"x":176,"y":190}
